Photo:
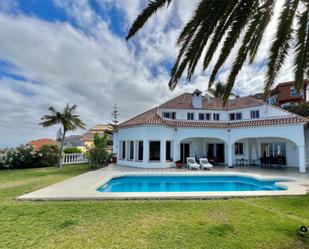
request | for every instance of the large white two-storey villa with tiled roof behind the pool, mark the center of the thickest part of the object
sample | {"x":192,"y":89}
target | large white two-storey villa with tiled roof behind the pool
{"x":194,"y":125}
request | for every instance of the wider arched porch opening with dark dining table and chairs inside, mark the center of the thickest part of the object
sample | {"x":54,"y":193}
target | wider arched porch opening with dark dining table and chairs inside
{"x":273,"y":152}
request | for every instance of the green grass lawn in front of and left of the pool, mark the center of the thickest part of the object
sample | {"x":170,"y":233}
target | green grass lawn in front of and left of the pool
{"x":231,"y":223}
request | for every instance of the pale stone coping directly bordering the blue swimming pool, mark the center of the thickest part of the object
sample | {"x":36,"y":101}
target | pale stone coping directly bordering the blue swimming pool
{"x":84,"y":187}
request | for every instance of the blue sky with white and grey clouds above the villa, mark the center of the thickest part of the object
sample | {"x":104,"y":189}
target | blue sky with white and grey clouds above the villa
{"x":54,"y":52}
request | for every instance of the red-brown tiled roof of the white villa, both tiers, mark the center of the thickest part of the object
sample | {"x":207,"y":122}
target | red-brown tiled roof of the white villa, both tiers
{"x":184,"y":101}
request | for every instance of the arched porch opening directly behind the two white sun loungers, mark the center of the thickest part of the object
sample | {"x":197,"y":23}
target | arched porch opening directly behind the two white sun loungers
{"x":203,"y":147}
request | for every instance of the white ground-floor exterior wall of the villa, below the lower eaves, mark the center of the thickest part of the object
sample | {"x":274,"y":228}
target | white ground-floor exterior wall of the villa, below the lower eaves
{"x":252,"y":138}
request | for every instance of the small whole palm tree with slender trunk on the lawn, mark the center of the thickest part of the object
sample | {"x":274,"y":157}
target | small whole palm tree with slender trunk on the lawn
{"x":67,"y":119}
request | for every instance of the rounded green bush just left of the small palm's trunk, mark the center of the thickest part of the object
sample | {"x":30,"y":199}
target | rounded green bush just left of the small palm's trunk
{"x":48,"y":154}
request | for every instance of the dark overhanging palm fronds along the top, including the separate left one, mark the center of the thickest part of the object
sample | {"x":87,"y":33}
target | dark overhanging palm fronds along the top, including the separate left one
{"x":215,"y":21}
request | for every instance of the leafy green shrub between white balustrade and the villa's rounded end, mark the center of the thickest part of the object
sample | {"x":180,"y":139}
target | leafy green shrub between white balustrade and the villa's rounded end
{"x":98,"y":155}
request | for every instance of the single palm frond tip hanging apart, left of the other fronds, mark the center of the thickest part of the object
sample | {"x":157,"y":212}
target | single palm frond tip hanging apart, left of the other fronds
{"x":142,"y":18}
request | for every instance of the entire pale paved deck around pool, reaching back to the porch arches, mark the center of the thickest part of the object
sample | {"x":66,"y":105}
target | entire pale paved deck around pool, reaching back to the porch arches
{"x":84,"y":186}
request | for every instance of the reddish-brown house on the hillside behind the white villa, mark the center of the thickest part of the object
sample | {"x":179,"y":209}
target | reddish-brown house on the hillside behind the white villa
{"x":284,"y":94}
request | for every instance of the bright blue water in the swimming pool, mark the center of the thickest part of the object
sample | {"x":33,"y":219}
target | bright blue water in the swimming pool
{"x":186,"y":184}
